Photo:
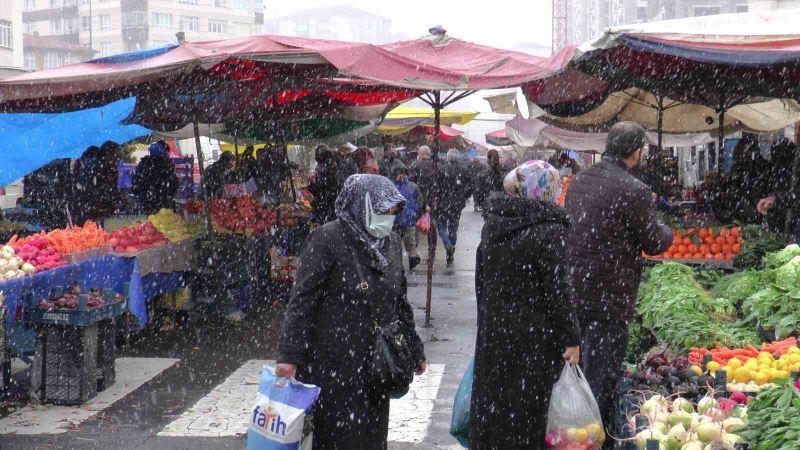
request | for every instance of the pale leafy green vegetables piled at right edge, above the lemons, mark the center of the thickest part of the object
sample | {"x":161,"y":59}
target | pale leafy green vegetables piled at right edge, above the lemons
{"x":777,"y":305}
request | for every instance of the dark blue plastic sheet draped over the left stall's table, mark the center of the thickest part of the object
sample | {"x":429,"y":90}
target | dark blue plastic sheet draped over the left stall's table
{"x":108,"y":271}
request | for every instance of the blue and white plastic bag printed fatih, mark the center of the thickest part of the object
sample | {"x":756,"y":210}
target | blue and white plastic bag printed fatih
{"x":276,"y":422}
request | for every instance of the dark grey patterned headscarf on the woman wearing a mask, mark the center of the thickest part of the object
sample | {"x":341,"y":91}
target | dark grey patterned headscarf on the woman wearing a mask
{"x":358,"y":192}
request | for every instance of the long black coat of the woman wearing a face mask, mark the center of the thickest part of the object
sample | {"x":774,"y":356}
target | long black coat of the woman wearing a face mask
{"x":328,"y":334}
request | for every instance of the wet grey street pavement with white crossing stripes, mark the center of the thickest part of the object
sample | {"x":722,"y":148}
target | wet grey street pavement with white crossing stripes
{"x":188,"y":389}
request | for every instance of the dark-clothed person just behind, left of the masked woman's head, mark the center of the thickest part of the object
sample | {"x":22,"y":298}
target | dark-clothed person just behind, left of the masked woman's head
{"x":324,"y":186}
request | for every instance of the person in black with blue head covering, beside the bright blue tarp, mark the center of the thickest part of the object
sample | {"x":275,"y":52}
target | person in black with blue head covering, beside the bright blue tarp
{"x":155,"y":182}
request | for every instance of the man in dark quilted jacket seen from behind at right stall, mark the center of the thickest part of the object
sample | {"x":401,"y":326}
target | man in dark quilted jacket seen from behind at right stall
{"x":613,"y":222}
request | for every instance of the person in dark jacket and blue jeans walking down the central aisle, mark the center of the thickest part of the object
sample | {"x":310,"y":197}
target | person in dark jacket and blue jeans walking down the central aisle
{"x":454,"y":192}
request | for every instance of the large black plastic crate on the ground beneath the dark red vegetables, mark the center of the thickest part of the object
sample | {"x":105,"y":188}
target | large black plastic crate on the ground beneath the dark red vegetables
{"x":64,"y":370}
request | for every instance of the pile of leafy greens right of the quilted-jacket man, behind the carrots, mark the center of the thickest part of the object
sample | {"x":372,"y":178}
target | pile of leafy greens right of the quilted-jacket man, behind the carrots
{"x":683,"y":315}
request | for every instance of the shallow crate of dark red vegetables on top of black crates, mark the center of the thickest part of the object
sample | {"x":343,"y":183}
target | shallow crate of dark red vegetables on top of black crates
{"x":80,"y":317}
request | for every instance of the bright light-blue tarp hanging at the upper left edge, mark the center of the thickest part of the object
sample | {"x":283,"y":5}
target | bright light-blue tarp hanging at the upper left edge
{"x":33,"y":140}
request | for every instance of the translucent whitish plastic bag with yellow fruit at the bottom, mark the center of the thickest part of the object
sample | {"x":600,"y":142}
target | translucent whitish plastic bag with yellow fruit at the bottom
{"x":573,"y":420}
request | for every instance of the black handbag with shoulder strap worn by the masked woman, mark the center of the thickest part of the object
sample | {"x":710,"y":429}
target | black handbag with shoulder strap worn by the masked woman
{"x":392,"y":366}
